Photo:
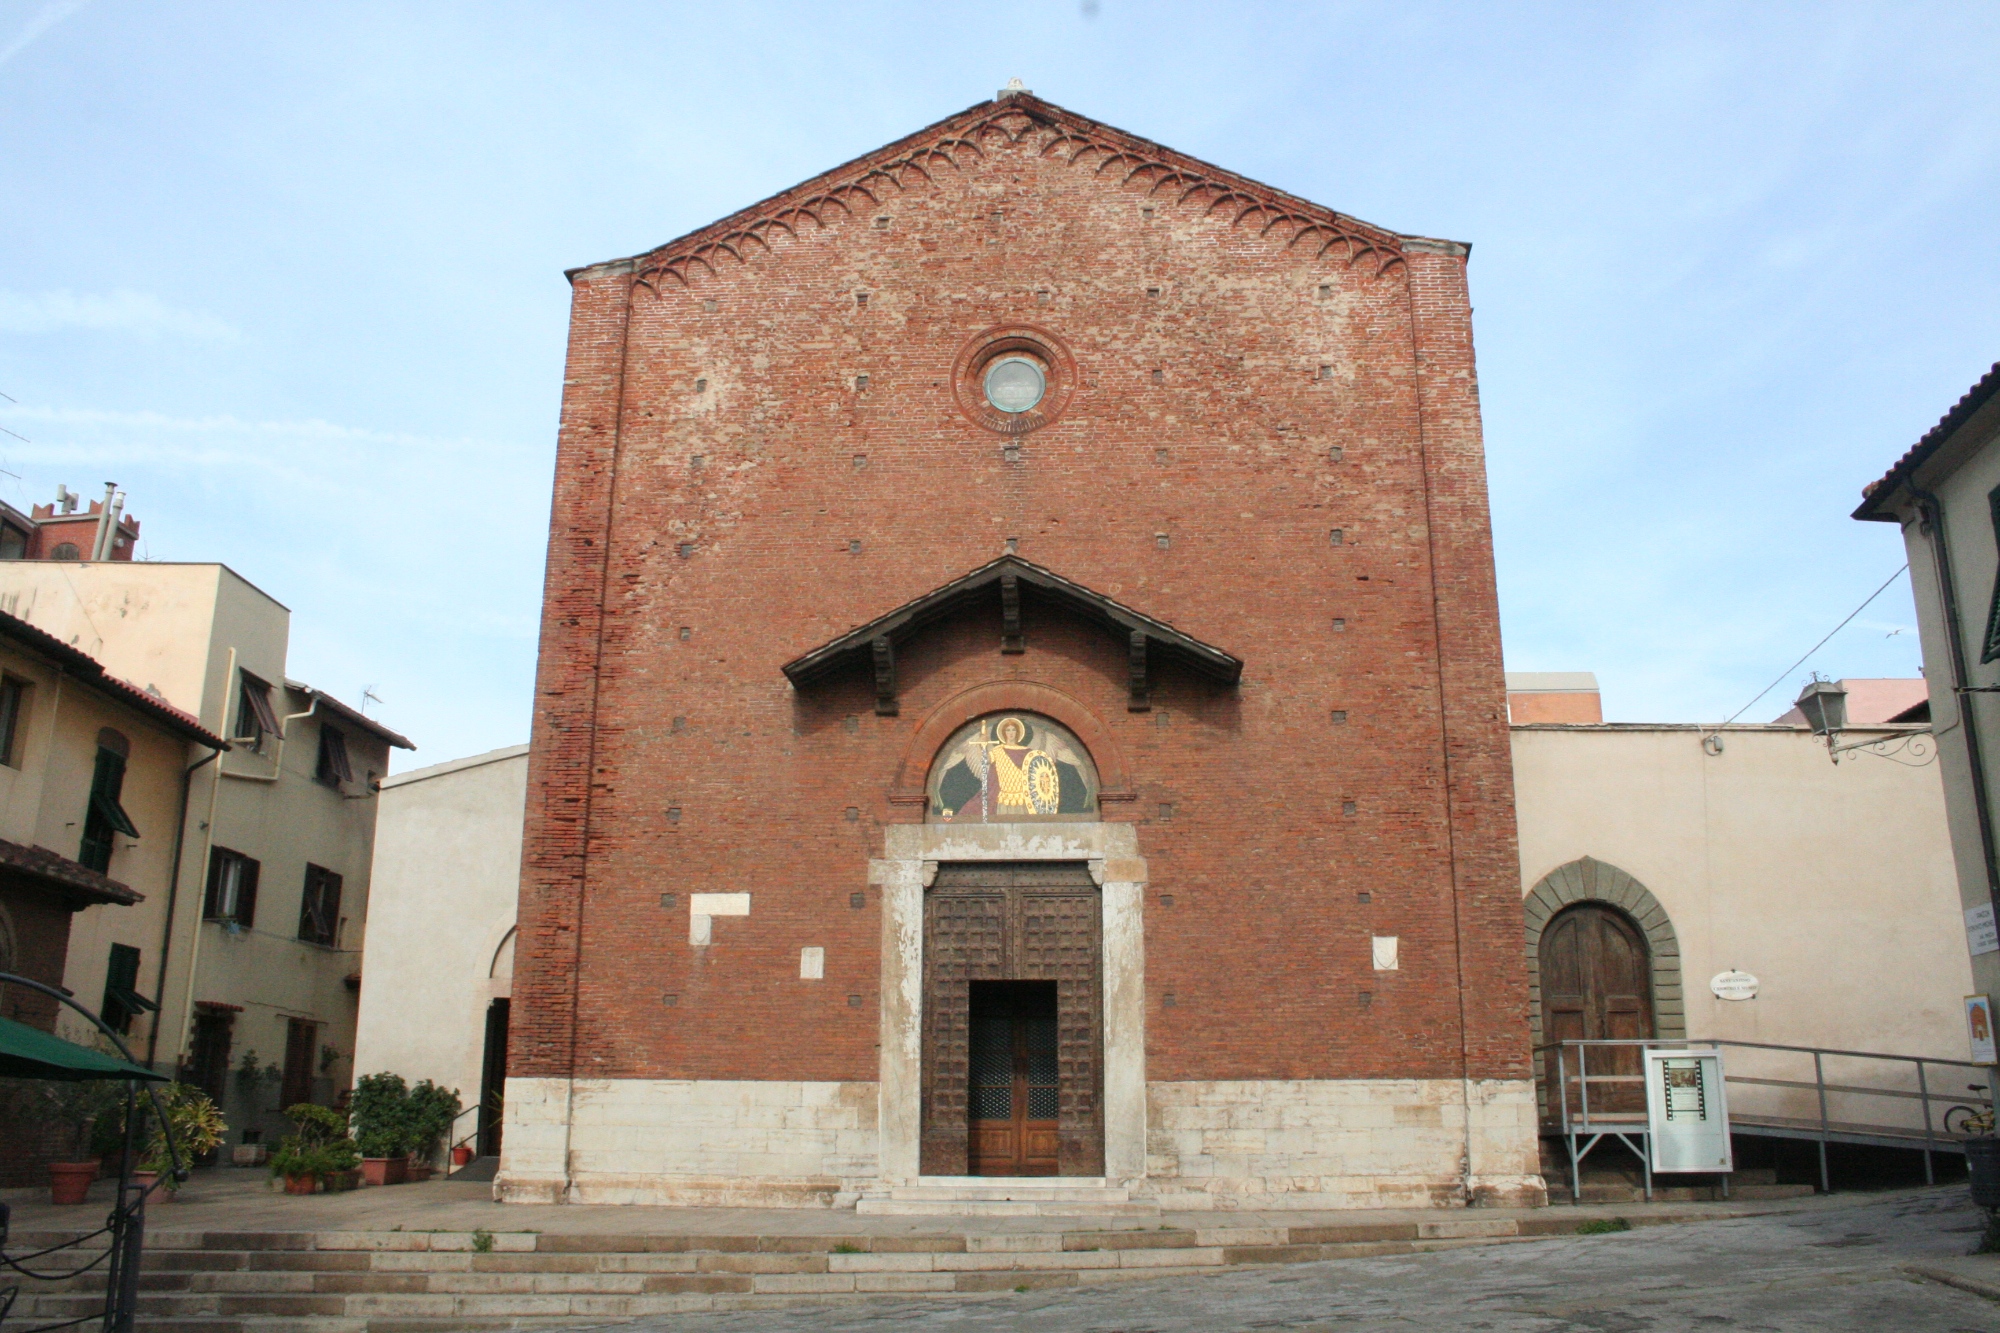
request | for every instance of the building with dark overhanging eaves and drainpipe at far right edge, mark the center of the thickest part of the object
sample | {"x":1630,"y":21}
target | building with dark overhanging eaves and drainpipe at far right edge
{"x":1943,"y":493}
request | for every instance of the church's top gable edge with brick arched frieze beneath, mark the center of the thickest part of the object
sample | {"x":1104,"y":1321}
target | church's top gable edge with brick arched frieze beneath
{"x":1015,"y":117}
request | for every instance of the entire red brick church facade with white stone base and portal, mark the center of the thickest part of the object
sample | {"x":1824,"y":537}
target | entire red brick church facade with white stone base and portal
{"x":1021,"y":706}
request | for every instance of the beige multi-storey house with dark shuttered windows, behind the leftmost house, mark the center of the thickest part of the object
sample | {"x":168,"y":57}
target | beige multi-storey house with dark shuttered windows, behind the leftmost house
{"x":267,"y":912}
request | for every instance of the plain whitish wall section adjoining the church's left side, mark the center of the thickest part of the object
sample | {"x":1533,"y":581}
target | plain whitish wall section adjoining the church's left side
{"x":441,"y":938}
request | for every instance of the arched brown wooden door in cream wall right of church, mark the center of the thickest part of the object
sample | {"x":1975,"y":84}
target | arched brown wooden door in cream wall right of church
{"x":1597,"y":986}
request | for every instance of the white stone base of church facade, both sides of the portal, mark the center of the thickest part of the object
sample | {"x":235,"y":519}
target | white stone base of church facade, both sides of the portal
{"x":1209,"y":1146}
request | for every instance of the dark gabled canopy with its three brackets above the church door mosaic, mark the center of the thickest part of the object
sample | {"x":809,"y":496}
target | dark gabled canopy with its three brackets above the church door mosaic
{"x":1015,"y":585}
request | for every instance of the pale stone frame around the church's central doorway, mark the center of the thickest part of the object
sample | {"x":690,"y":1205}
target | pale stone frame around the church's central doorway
{"x":909,"y":864}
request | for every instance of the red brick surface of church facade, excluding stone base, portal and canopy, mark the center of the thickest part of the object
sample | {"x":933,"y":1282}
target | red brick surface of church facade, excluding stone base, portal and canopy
{"x":717,"y":415}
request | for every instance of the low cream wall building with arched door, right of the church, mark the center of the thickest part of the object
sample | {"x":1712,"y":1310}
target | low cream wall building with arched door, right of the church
{"x":1665,"y":864}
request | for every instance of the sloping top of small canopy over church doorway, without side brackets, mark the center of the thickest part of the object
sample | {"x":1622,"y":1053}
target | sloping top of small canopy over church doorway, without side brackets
{"x":999,"y":577}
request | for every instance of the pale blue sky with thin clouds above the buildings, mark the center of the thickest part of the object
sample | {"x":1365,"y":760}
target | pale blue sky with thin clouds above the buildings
{"x":293,"y":279}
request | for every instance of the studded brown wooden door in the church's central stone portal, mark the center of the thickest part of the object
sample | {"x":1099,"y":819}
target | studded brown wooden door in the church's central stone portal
{"x":1013,"y":1022}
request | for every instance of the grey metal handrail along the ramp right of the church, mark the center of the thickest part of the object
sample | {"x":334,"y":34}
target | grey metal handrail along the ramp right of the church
{"x":1821,"y":1088}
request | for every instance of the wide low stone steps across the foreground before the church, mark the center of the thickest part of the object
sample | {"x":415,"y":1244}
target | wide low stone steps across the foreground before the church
{"x":435,"y":1282}
